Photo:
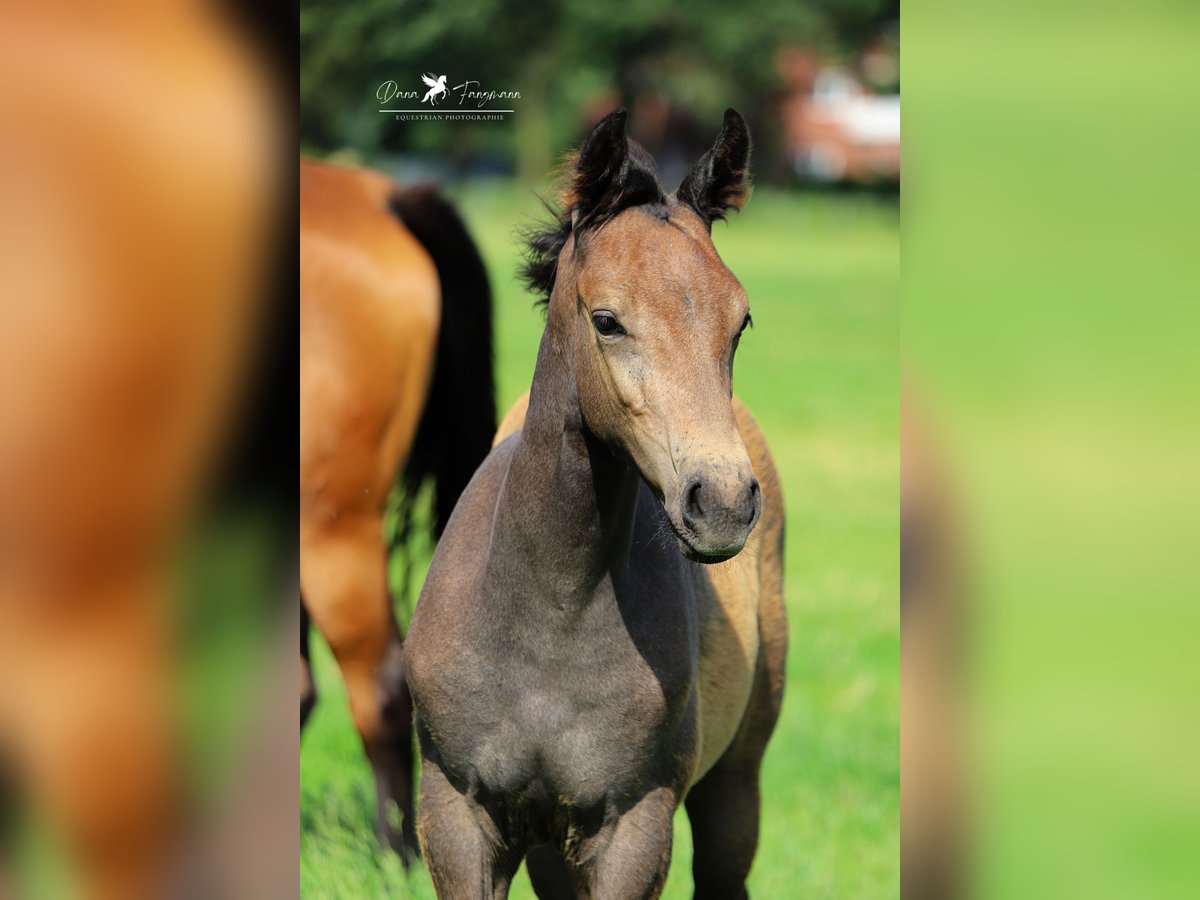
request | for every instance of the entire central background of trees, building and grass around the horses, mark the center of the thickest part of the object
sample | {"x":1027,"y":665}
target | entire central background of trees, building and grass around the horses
{"x":818,"y":249}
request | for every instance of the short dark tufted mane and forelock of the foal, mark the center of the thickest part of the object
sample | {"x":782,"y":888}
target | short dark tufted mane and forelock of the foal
{"x":637,"y":185}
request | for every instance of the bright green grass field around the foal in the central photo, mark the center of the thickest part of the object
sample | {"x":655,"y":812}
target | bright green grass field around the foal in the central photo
{"x":821,"y":371}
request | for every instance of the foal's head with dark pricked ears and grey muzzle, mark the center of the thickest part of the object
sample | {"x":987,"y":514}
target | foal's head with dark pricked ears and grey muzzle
{"x":650,"y":319}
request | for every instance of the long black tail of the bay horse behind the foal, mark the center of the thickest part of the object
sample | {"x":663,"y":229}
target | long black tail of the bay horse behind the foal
{"x":457,"y":428}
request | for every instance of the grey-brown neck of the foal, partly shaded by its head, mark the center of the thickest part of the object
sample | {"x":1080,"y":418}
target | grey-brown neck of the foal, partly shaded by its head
{"x":566,"y":512}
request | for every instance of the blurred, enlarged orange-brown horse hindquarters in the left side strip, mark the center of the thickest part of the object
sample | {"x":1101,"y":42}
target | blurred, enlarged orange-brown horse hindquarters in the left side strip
{"x":134,"y":237}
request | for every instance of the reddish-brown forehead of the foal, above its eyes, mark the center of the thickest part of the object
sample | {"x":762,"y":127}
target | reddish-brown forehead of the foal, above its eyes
{"x":667,"y":250}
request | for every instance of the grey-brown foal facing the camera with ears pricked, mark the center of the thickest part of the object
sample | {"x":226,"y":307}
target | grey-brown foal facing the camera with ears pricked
{"x":602,"y":635}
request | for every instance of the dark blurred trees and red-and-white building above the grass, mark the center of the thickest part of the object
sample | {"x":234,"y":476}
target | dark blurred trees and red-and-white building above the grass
{"x":818,"y":82}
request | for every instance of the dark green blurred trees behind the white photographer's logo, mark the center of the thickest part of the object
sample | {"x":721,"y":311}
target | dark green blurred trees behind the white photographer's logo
{"x":704,"y":57}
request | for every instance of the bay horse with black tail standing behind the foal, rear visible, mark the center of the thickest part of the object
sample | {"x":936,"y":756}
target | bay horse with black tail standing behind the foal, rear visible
{"x":395,"y":377}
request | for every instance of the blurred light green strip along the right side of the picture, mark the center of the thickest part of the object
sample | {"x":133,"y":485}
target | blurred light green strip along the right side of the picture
{"x":1049,"y":338}
